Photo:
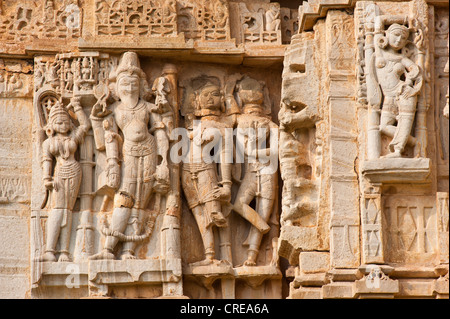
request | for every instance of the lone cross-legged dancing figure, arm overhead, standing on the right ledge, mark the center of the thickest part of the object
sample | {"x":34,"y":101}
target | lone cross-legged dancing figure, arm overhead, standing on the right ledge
{"x":394,"y":82}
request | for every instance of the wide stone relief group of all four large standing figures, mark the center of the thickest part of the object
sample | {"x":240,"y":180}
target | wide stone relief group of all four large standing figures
{"x":123,"y":186}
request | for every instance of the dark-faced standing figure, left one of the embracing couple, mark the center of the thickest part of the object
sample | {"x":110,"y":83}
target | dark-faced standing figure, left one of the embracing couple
{"x":207,"y":194}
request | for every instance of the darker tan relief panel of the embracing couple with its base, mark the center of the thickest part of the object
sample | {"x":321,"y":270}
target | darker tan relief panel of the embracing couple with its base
{"x":232,"y":202}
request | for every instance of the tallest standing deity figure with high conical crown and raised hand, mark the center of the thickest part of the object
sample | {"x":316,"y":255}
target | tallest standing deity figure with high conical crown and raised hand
{"x":134,"y":138}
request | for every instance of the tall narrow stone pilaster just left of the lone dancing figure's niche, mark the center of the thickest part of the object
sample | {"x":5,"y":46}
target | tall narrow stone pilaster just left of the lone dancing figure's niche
{"x":345,"y":252}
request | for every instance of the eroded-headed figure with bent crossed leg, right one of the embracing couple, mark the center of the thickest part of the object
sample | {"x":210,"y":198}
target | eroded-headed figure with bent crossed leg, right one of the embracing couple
{"x":260,"y":180}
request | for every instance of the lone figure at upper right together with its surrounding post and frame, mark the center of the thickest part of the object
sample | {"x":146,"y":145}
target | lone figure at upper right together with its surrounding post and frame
{"x":394,"y":56}
